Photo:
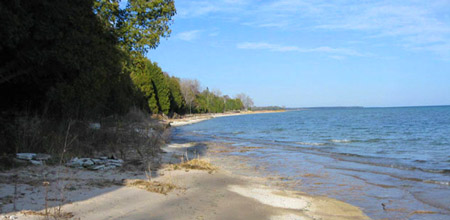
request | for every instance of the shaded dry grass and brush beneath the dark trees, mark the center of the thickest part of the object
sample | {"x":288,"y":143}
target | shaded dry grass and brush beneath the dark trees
{"x":133,"y":135}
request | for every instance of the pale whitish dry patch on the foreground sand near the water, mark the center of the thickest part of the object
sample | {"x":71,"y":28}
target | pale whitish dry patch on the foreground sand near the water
{"x":269,"y":197}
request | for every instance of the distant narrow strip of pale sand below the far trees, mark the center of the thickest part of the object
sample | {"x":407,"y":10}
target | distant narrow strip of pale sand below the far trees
{"x":196,"y":118}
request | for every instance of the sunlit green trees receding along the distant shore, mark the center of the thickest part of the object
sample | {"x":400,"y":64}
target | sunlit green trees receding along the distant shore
{"x":170,"y":95}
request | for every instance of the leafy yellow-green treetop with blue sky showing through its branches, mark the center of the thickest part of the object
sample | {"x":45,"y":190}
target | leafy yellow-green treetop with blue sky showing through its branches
{"x":140,"y":25}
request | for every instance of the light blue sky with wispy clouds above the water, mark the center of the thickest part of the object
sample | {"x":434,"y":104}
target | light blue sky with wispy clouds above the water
{"x":304,"y":53}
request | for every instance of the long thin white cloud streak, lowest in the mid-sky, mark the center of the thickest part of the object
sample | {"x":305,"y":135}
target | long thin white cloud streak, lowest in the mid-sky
{"x":282,"y":48}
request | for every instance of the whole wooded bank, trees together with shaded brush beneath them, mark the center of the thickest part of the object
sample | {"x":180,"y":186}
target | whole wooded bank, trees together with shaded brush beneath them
{"x":66,"y":64}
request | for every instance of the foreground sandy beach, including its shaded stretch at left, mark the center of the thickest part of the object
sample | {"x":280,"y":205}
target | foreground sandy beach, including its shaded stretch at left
{"x":198,"y":194}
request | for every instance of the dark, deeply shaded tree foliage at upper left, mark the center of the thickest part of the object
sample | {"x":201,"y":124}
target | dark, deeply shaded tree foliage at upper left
{"x":58,"y":53}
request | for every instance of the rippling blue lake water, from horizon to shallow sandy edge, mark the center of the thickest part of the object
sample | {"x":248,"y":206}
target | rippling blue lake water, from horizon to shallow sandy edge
{"x":365,"y":156}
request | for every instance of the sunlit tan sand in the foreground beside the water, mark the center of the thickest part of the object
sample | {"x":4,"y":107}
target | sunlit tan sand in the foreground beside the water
{"x":202,"y":195}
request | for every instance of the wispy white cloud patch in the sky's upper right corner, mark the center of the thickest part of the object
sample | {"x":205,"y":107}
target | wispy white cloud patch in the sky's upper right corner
{"x":390,"y":20}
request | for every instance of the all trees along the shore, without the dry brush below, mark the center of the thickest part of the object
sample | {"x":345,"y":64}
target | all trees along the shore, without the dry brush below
{"x":85,"y":59}
